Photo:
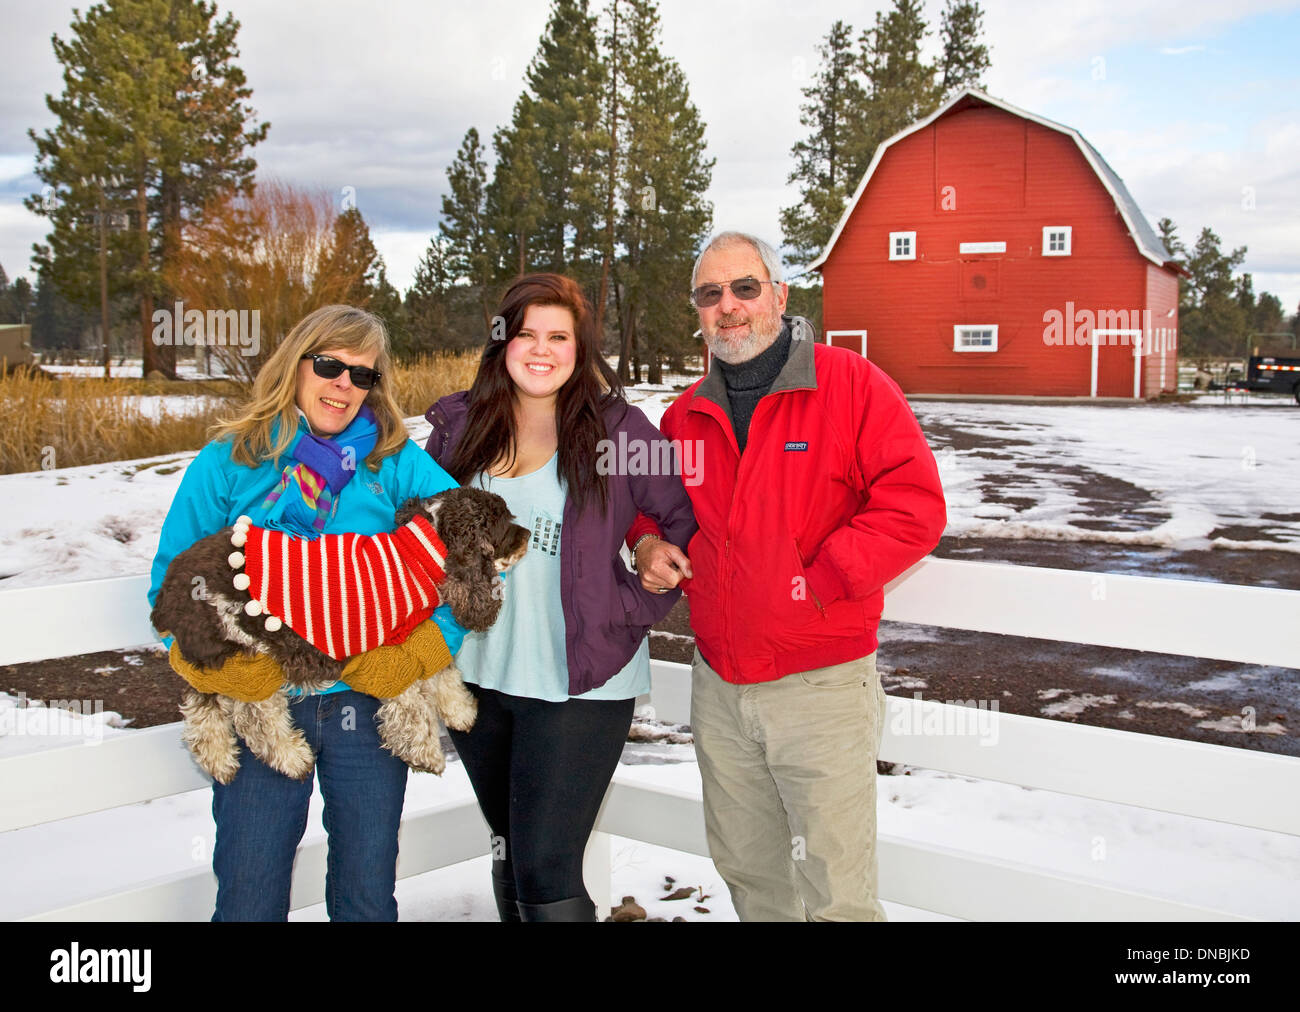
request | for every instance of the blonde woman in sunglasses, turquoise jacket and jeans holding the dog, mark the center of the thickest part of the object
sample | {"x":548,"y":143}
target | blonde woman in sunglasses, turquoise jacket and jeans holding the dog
{"x":320,"y":449}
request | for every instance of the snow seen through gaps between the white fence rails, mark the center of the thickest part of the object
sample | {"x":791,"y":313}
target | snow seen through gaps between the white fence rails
{"x":1215,"y":866}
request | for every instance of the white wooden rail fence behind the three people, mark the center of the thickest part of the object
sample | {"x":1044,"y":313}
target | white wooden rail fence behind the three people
{"x":1178,"y":617}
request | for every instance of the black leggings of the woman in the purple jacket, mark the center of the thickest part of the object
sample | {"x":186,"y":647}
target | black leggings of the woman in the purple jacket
{"x":540,"y":772}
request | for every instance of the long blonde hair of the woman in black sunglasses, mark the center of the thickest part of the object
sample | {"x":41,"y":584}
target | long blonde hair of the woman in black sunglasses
{"x":275,"y":392}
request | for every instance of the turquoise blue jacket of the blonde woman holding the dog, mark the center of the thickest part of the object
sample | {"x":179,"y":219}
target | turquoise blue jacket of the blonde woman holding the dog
{"x":216,"y":491}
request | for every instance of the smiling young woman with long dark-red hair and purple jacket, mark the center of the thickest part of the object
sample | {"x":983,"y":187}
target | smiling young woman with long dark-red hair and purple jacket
{"x":545,"y":426}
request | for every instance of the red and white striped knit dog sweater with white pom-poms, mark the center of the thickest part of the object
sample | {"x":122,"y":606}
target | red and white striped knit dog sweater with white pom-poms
{"x":343,"y":594}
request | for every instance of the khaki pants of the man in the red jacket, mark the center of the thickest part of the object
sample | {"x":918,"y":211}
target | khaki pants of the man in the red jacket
{"x":790,"y":777}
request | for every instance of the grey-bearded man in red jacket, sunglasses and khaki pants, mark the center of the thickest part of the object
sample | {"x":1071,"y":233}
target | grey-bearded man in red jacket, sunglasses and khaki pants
{"x":817,"y":490}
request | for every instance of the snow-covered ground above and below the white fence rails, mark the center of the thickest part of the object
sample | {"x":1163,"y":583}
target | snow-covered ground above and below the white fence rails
{"x":1202,"y":469}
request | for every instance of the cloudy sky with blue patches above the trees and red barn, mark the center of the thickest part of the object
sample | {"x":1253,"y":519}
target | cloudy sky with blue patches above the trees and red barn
{"x":1194,"y":103}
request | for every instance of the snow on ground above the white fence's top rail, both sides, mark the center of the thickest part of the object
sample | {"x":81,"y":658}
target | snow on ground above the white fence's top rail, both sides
{"x":1026,"y":478}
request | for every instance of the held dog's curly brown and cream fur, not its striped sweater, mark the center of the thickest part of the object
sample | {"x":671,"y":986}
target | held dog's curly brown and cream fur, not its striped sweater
{"x":211,"y":626}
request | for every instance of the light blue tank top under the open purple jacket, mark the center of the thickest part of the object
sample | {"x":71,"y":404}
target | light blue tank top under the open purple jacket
{"x":523,"y":654}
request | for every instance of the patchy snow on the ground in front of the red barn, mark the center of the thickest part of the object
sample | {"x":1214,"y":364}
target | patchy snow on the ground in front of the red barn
{"x":1203,"y":470}
